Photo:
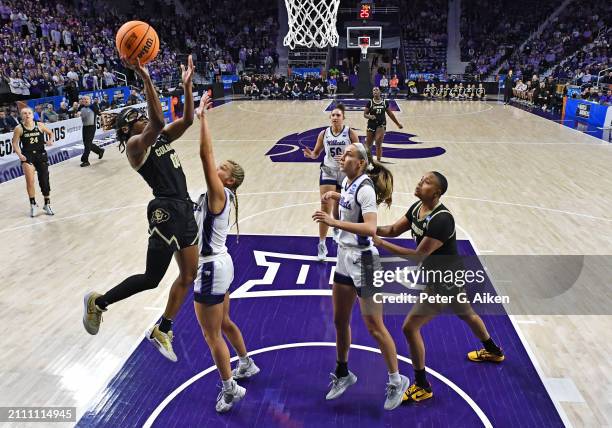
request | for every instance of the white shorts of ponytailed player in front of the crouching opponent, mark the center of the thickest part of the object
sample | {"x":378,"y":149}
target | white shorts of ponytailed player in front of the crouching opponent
{"x":356,"y":267}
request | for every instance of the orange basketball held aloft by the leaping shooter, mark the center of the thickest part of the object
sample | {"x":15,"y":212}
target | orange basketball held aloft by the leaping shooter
{"x":137,"y":39}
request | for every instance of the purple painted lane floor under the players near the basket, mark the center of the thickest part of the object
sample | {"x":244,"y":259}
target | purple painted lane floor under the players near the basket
{"x":290,"y":389}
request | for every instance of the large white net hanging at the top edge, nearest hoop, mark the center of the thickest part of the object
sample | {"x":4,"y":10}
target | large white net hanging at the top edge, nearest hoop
{"x":312,"y":23}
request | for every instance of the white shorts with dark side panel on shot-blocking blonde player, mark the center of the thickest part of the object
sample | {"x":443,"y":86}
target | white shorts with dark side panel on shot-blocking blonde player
{"x":215,"y":275}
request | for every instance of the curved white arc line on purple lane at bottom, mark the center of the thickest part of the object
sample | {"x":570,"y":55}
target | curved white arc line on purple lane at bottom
{"x":481,"y":415}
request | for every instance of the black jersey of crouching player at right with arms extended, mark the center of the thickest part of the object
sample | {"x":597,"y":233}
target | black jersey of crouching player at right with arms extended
{"x":438,"y":224}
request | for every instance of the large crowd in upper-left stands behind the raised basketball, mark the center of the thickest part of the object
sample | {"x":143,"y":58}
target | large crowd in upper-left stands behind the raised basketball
{"x":60,"y":47}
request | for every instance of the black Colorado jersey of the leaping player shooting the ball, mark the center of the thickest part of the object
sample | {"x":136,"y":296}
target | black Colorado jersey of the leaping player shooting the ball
{"x":162,"y":170}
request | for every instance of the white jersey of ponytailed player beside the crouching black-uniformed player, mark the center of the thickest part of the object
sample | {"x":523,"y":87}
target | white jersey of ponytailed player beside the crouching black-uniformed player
{"x":356,"y":199}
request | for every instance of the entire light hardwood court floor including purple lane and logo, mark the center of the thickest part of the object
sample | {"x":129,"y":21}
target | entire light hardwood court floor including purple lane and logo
{"x":518,"y":185}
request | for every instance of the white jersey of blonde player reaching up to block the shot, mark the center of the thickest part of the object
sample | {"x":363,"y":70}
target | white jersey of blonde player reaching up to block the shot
{"x":213,"y":227}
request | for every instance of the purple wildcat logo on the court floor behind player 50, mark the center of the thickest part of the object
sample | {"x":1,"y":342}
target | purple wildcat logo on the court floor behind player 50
{"x":397,"y":145}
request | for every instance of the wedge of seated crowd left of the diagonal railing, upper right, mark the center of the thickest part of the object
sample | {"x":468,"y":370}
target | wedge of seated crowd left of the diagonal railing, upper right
{"x":492,"y":29}
